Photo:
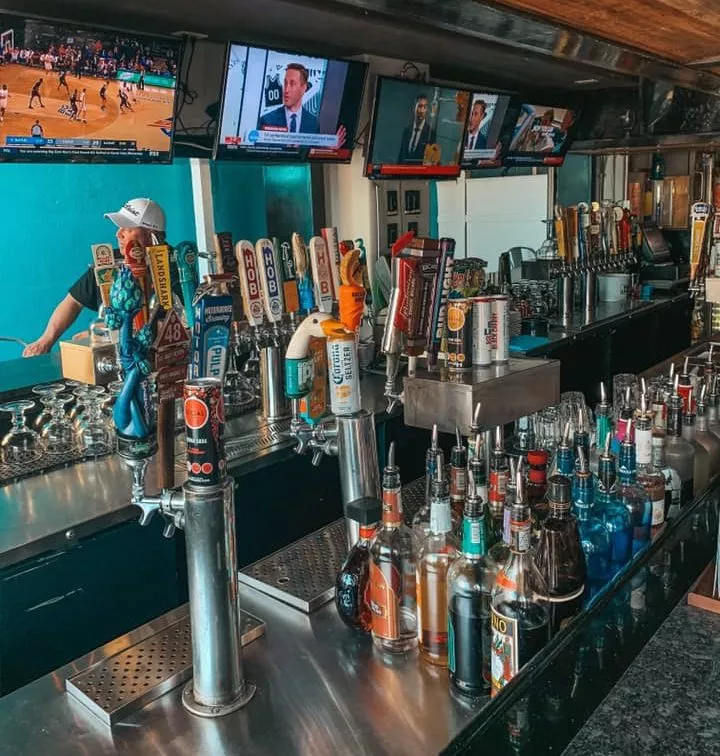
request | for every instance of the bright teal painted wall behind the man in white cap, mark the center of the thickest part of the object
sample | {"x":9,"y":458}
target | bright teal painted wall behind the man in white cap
{"x":53,"y":213}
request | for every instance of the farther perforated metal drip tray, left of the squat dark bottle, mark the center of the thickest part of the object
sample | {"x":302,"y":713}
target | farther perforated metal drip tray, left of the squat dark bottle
{"x":302,"y":574}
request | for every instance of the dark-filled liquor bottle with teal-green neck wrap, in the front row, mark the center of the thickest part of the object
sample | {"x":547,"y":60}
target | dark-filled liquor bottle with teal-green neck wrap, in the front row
{"x":469,"y":584}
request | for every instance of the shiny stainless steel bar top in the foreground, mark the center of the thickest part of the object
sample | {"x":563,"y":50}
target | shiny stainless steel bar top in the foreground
{"x":322,"y":690}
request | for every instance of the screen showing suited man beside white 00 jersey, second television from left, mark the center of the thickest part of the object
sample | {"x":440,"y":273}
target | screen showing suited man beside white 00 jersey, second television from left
{"x":286,"y":106}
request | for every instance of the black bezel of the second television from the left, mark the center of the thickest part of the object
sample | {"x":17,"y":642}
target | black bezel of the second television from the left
{"x":243,"y":156}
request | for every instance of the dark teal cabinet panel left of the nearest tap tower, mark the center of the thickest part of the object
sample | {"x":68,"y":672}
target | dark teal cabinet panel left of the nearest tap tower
{"x":58,"y":606}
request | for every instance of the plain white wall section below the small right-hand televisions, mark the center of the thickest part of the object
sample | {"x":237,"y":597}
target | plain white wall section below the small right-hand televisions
{"x":488,"y":216}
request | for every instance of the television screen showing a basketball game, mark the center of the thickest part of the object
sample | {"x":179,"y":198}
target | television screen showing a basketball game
{"x":80,"y":94}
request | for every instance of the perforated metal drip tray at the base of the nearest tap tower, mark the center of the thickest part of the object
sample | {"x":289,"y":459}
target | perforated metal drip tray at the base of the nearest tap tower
{"x":123,"y":683}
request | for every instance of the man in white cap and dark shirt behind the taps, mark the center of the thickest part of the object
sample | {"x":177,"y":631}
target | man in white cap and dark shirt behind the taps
{"x":140,"y":220}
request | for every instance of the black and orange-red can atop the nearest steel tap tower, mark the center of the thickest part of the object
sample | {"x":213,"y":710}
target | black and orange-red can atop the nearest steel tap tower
{"x":204,"y":431}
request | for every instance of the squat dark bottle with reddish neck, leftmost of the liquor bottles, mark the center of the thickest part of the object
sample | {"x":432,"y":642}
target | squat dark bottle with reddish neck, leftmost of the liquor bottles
{"x":352,"y":591}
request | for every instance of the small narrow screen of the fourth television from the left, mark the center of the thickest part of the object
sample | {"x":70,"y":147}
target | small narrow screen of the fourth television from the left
{"x":489,"y":130}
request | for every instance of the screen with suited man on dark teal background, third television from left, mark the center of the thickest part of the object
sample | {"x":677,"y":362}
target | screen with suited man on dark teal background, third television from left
{"x":417,"y":130}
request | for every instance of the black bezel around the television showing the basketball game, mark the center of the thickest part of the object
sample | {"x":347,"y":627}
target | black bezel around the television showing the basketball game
{"x":48,"y":158}
